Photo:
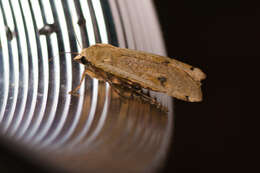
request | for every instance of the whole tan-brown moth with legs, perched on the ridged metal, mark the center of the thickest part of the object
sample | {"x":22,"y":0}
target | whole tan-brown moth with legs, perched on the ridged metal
{"x":130,"y":70}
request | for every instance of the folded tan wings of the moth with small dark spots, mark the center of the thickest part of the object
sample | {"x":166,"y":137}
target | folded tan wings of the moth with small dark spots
{"x":151,"y":71}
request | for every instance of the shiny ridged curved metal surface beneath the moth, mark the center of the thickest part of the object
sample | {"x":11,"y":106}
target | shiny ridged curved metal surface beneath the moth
{"x":96,"y":130}
